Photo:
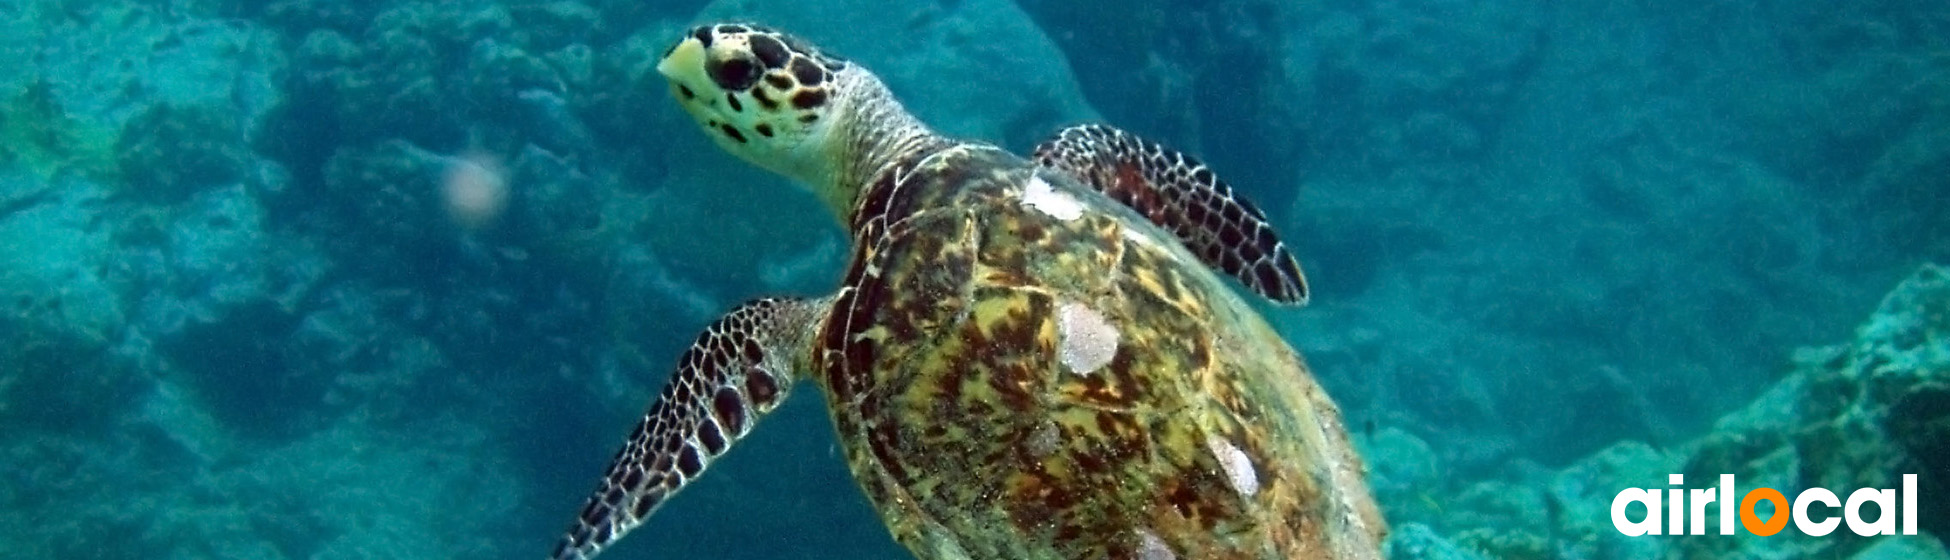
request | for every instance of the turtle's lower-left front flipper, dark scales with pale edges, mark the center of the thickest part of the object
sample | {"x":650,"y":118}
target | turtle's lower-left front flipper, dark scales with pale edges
{"x":734,"y":374}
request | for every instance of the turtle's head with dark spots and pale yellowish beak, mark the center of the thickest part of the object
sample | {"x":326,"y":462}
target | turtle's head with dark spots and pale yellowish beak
{"x":761,"y":95}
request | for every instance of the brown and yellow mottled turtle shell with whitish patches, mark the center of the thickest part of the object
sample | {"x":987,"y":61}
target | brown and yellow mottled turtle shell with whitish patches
{"x":1021,"y":368}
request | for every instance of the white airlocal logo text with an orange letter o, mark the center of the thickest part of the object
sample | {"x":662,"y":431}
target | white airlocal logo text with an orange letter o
{"x":1752,"y":520}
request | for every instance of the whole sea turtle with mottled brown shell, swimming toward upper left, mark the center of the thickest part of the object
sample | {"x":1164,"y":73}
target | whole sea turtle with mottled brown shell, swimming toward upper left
{"x":1029,"y":358}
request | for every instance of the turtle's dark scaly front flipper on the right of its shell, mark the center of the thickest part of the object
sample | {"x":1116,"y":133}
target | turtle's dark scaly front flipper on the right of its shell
{"x":1179,"y":194}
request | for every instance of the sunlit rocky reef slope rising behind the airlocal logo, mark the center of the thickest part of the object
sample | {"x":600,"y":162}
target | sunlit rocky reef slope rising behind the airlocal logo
{"x":1848,"y":417}
